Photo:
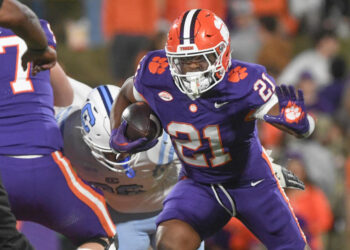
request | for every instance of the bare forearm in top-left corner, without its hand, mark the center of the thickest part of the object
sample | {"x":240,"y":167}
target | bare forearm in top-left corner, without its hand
{"x":24,"y":23}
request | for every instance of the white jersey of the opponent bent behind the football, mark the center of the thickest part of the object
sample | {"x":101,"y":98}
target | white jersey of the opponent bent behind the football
{"x":156,"y":170}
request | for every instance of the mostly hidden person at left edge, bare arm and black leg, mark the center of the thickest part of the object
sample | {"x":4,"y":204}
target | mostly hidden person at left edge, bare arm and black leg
{"x":21,"y":20}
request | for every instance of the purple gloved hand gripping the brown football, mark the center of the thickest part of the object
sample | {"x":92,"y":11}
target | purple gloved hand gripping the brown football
{"x":120,"y":143}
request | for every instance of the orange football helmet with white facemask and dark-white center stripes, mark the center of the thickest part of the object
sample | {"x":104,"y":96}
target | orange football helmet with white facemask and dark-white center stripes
{"x":201,"y":38}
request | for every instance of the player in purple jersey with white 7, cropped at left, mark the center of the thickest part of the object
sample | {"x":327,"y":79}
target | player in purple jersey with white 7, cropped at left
{"x":40,"y":182}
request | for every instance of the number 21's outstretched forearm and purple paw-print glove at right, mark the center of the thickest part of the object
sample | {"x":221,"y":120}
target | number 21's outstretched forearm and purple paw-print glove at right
{"x":287,"y":112}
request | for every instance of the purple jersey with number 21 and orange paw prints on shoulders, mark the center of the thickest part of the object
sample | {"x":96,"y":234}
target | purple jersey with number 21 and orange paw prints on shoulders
{"x":212,"y":135}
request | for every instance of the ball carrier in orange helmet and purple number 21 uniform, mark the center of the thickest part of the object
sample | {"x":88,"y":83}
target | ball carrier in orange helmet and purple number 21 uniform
{"x":208,"y":104}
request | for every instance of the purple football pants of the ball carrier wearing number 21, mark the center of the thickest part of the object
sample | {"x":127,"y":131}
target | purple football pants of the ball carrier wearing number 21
{"x":260,"y":204}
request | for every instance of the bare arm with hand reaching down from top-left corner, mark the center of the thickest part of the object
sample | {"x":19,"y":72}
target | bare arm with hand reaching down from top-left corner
{"x":24,"y":23}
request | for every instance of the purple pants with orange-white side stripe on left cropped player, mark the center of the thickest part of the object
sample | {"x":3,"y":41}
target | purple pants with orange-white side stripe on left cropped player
{"x":47,"y":191}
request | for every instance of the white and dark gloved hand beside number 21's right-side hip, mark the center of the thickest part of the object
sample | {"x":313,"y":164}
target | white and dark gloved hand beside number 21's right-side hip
{"x":286,"y":178}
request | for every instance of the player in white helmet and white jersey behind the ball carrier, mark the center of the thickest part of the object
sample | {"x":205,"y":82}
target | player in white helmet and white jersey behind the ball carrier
{"x":135,"y":185}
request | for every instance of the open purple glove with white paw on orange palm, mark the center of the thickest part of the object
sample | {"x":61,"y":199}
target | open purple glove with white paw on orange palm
{"x":293,"y":114}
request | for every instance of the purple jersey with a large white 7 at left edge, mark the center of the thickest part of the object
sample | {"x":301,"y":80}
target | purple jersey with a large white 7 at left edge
{"x":27,"y":123}
